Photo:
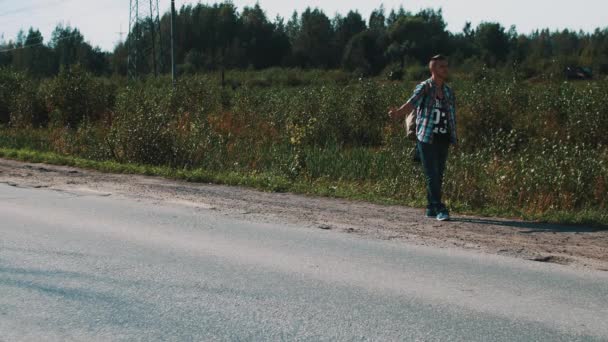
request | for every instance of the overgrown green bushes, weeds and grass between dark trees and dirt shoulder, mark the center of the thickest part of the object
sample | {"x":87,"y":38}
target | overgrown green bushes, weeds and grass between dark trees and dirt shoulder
{"x":534,"y":149}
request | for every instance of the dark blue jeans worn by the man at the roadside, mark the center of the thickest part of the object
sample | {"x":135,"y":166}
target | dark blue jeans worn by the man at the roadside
{"x":434,"y":157}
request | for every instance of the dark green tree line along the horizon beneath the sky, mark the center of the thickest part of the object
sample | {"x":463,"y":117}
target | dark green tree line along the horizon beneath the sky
{"x":214,"y":36}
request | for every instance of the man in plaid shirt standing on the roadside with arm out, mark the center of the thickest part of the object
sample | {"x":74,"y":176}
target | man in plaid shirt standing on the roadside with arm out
{"x":435,"y":105}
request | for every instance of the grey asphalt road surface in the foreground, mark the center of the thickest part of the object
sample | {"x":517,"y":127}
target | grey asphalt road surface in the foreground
{"x":89,"y":267}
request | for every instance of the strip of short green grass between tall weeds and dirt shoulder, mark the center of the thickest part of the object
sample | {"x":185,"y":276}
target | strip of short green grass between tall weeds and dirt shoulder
{"x":363,"y":191}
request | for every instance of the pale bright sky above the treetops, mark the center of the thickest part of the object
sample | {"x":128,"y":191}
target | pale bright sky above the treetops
{"x":102,"y":21}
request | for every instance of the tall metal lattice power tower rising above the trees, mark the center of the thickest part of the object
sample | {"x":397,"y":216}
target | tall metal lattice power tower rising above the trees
{"x":144,"y":40}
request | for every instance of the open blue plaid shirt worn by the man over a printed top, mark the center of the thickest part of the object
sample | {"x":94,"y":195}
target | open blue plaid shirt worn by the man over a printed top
{"x":423,"y":101}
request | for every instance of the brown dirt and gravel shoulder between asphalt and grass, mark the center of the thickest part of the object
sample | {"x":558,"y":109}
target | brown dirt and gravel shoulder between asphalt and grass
{"x":568,"y":245}
